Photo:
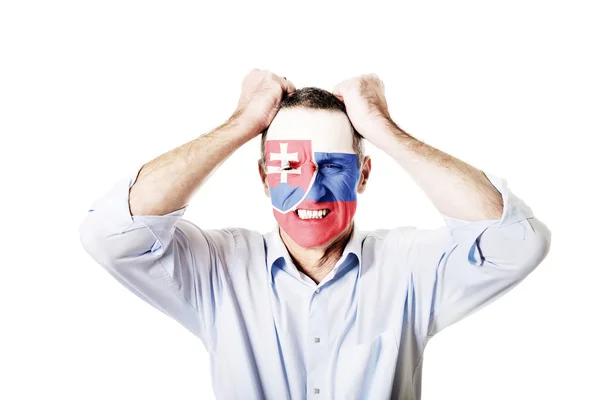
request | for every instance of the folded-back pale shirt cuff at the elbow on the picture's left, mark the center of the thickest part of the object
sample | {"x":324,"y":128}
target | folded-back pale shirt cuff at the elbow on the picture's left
{"x":111,"y":215}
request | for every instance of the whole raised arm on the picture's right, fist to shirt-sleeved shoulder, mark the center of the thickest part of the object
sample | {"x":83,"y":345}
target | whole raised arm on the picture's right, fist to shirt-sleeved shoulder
{"x":491,"y":240}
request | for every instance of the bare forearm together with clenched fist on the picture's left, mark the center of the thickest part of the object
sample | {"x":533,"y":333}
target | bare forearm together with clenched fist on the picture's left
{"x":168,"y":182}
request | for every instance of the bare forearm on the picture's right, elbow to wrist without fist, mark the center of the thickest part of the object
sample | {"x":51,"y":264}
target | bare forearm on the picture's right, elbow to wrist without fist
{"x":456,"y":188}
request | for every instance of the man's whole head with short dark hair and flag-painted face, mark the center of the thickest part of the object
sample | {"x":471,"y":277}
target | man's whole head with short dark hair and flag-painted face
{"x":312,"y":166}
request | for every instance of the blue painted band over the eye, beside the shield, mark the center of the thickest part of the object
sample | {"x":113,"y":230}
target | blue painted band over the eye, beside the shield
{"x":337,"y":177}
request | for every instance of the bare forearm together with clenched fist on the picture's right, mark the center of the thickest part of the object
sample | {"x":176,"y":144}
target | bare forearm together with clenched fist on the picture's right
{"x":456,"y":189}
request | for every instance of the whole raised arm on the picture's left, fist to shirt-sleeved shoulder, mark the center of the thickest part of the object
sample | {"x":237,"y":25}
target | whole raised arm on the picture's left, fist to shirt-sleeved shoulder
{"x":135,"y":231}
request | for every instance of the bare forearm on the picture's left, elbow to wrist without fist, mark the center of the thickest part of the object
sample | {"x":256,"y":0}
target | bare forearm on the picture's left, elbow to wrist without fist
{"x":168,"y":182}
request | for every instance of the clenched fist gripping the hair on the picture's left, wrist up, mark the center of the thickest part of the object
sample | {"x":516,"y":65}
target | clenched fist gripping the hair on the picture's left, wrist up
{"x":262,"y":92}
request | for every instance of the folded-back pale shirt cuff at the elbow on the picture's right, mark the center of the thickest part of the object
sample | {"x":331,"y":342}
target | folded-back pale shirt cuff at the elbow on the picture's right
{"x":466,"y":233}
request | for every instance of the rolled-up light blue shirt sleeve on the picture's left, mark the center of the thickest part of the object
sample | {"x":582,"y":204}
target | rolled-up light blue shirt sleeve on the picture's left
{"x":148,"y":255}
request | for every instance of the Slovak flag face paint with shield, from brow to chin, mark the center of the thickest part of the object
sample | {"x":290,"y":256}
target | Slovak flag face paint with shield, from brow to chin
{"x":313,"y":189}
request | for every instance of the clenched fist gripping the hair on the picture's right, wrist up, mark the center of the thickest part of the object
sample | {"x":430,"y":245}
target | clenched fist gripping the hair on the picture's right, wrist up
{"x":365,"y":103}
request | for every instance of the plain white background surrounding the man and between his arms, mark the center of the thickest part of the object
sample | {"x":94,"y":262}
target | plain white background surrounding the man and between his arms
{"x":89,"y":90}
